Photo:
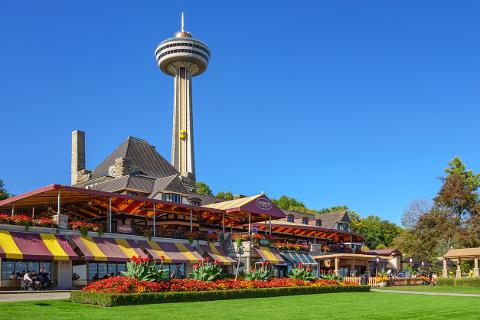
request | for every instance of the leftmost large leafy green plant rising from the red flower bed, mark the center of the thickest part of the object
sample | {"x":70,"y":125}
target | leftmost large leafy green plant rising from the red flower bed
{"x":145,"y":269}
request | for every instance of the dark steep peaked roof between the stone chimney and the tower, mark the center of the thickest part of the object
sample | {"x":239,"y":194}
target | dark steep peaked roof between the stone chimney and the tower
{"x":142,"y":154}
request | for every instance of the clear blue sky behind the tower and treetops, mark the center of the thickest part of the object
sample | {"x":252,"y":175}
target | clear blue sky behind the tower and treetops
{"x":360,"y":103}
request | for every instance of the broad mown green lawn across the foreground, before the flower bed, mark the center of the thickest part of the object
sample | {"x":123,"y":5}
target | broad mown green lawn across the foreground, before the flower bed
{"x":368,"y":305}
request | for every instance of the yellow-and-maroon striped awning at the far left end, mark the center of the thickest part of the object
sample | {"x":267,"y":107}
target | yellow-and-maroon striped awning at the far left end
{"x":43,"y":246}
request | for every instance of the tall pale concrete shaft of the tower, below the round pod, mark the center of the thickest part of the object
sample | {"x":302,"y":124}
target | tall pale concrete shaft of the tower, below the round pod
{"x":183,"y":155}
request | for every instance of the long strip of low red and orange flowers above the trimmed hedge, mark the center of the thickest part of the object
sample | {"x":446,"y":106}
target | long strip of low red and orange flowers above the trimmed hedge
{"x":132,"y":285}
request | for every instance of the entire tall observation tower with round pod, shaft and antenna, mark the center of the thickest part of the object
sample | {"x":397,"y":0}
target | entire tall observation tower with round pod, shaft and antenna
{"x":183,"y":57}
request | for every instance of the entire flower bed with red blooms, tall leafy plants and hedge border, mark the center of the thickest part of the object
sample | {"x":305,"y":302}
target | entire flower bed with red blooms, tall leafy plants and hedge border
{"x":145,"y":282}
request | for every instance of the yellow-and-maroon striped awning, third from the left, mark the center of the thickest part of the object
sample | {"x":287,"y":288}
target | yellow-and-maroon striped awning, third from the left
{"x":171,"y":252}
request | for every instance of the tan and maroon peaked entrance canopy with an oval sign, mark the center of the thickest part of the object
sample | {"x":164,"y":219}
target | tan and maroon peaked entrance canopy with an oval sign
{"x":257,"y":205}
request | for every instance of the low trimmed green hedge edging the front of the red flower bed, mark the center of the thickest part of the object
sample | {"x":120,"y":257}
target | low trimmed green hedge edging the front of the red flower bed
{"x":111,"y":300}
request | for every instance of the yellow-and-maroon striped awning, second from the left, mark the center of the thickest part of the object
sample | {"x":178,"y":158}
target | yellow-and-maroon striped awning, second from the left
{"x":107,"y":249}
